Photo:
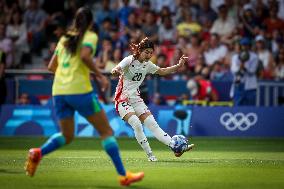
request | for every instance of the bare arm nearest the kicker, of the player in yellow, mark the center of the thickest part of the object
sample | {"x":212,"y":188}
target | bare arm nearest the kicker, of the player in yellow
{"x":86,"y":56}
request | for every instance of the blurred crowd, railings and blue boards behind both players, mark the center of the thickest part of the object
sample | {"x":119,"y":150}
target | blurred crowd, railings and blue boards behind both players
{"x":231,"y":86}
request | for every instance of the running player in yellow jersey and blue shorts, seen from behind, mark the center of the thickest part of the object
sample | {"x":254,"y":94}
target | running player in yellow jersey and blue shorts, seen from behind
{"x":72,"y":91}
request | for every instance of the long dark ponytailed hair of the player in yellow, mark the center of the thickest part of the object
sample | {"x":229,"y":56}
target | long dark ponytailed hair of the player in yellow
{"x":80,"y":25}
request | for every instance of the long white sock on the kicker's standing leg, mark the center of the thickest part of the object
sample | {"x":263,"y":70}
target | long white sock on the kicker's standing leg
{"x":139,"y":134}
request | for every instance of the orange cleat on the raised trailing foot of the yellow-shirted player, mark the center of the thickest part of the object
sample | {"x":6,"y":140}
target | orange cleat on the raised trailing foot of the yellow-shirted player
{"x":33,"y":160}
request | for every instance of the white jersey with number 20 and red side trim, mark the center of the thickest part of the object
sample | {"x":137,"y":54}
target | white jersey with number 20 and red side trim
{"x":133,"y":74}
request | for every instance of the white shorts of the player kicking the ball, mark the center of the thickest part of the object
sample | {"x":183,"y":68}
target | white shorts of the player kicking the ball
{"x":138,"y":107}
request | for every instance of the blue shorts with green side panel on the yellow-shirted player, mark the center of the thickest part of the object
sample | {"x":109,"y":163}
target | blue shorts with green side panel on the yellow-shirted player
{"x":66,"y":105}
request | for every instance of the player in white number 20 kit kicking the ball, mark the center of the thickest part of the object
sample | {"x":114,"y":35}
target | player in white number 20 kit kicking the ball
{"x":128,"y":103}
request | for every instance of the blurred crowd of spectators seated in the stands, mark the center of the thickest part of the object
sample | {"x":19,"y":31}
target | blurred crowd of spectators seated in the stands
{"x":212,"y":33}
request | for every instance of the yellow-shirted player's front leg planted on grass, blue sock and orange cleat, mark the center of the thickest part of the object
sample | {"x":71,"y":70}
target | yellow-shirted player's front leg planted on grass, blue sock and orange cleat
{"x":99,"y":120}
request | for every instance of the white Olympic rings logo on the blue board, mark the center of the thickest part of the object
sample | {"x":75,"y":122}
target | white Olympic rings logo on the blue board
{"x":238,"y":121}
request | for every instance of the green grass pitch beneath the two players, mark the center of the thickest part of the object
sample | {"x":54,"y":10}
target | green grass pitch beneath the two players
{"x":214,"y":163}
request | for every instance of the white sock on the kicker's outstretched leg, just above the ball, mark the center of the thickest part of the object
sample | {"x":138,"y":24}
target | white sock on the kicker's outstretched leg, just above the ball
{"x":151,"y":124}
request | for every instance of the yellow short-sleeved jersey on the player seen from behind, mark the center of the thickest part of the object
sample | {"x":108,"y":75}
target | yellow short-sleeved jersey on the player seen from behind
{"x":72,"y":76}
